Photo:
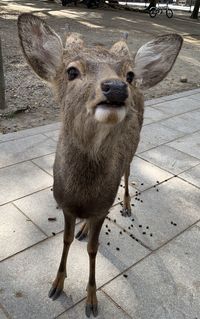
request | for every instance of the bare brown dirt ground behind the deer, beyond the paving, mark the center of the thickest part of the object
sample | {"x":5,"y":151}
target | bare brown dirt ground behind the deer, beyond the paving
{"x":30,"y":102}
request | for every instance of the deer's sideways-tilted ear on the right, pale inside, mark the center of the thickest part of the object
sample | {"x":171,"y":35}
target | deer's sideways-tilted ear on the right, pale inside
{"x":155,"y":59}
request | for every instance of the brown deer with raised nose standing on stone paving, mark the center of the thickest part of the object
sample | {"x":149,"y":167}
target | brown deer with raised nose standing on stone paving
{"x":99,"y":91}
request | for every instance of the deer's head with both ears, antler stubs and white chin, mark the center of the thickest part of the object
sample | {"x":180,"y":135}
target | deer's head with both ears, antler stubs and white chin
{"x":95,"y":81}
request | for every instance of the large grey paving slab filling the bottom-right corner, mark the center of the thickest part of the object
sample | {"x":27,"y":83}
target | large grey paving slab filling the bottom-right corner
{"x":164,"y":285}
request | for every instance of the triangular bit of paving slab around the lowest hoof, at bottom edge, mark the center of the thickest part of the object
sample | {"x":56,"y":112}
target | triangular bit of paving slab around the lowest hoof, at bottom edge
{"x":107,"y":310}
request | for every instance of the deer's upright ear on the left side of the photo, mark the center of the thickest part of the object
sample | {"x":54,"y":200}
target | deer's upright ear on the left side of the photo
{"x":42,"y":47}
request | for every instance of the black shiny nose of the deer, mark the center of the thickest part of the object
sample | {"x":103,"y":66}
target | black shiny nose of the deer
{"x":115,"y":91}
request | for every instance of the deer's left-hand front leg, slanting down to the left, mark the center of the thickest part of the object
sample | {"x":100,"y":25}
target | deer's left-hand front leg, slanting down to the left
{"x":57,"y":286}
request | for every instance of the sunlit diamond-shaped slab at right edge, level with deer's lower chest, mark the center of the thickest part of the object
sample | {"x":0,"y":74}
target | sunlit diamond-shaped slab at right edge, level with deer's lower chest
{"x":169,"y":159}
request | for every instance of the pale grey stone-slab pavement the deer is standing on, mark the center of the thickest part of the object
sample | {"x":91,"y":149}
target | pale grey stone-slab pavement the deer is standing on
{"x":155,"y":274}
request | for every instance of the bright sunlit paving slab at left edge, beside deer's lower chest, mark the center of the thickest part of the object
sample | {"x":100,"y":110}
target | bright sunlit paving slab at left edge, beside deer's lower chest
{"x":20,"y":180}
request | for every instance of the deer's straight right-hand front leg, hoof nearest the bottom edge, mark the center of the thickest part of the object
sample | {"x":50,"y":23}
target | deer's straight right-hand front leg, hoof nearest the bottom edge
{"x":92,"y":247}
